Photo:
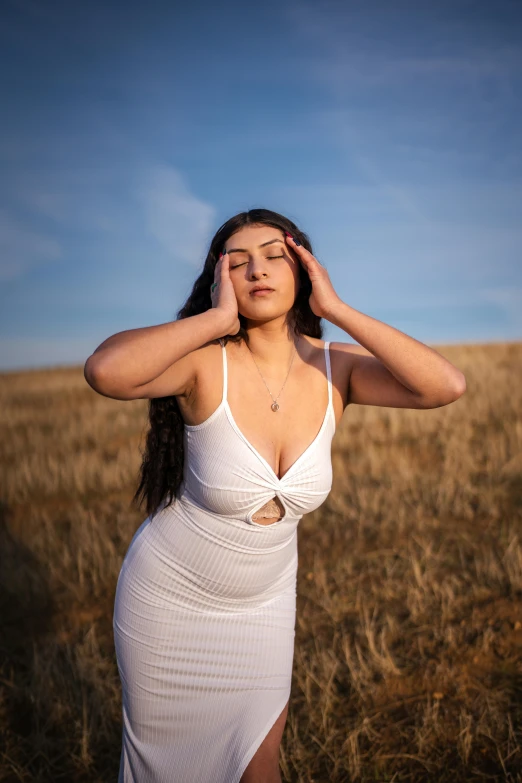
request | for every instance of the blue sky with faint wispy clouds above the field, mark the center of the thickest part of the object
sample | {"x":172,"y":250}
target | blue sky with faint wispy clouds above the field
{"x":389,"y":131}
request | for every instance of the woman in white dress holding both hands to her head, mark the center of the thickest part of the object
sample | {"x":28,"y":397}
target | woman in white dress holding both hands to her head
{"x":244,"y":401}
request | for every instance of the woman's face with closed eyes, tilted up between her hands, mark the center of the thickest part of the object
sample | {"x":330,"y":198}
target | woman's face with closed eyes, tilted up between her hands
{"x":255,"y":258}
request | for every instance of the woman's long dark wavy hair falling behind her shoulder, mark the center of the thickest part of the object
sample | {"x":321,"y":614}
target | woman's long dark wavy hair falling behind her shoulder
{"x":161,"y":471}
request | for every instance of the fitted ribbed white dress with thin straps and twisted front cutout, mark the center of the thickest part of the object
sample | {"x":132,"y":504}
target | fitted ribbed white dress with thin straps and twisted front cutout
{"x":204,"y":613}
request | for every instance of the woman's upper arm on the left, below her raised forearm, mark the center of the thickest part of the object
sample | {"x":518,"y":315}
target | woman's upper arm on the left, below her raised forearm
{"x":178,"y":379}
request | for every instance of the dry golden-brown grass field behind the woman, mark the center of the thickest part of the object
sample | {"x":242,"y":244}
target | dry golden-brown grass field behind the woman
{"x":408,"y":656}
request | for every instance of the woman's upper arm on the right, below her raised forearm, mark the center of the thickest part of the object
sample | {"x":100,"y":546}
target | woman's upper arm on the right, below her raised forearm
{"x":371,"y":383}
